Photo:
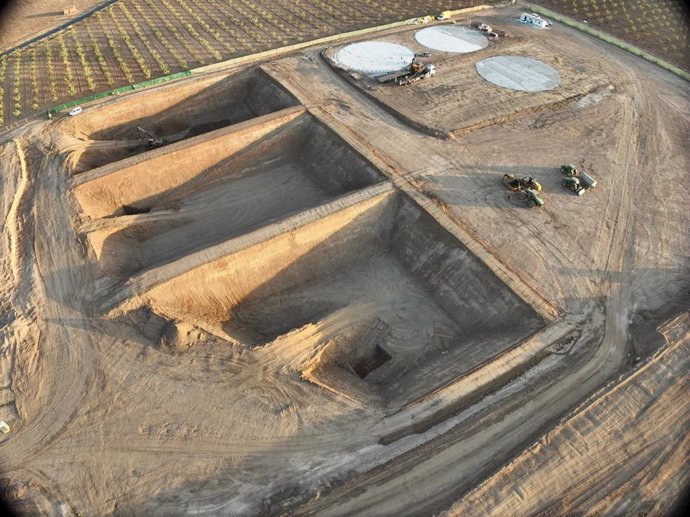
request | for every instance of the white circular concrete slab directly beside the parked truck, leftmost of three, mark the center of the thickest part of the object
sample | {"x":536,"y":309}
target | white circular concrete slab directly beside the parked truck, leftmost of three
{"x":373,"y":57}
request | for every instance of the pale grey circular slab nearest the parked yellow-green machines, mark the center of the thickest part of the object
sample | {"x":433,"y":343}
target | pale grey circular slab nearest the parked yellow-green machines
{"x":519,"y":73}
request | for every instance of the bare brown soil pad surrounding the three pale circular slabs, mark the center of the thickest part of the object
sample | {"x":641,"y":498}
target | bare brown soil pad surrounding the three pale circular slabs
{"x":467,"y":102}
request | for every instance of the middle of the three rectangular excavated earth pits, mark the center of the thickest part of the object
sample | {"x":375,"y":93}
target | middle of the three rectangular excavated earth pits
{"x":175,"y":204}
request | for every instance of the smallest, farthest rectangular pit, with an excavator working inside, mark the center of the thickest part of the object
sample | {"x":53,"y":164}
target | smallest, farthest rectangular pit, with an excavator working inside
{"x":172,"y":113}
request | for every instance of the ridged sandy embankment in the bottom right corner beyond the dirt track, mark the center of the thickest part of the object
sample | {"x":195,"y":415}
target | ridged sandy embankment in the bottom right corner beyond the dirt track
{"x":621,"y":455}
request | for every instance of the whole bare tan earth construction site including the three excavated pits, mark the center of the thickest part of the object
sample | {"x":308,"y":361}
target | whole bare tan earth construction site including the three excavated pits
{"x":310,"y":307}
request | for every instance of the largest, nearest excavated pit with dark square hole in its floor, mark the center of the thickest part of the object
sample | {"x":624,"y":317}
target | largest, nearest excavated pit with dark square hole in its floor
{"x":415,"y":308}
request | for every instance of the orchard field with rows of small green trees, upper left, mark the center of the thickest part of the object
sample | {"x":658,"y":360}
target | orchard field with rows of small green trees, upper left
{"x":134,"y":40}
